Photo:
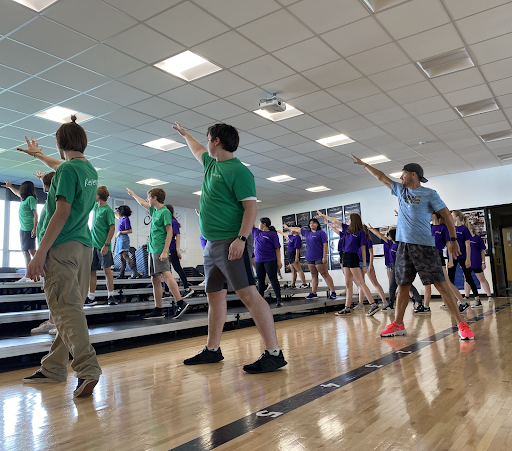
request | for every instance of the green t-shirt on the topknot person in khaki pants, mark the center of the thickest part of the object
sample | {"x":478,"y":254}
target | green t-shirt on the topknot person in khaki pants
{"x":76,"y":180}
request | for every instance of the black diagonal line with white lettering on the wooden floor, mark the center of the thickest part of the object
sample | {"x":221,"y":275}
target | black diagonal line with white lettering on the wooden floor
{"x":244,"y":425}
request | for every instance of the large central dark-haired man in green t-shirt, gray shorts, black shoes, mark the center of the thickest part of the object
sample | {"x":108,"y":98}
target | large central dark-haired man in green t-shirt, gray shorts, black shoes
{"x":226,"y":216}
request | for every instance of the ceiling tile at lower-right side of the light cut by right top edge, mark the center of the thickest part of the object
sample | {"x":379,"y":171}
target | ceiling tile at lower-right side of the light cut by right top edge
{"x":413,"y":17}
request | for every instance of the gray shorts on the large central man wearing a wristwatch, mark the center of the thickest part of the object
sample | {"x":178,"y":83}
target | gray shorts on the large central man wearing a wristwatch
{"x":221,"y":273}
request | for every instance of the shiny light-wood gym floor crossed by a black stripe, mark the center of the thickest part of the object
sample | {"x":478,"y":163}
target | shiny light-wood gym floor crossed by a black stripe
{"x":344,"y":388}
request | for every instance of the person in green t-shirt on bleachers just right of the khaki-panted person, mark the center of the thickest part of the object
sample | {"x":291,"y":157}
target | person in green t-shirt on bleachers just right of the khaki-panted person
{"x":102,"y":231}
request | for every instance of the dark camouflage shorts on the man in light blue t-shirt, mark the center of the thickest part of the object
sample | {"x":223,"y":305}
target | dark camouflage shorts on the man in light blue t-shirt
{"x":412,"y":259}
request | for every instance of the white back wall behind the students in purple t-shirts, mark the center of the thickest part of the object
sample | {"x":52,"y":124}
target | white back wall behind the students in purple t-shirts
{"x":473,"y":189}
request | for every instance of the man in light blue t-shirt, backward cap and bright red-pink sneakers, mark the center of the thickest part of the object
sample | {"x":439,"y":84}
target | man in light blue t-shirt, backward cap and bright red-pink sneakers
{"x":416,"y":253}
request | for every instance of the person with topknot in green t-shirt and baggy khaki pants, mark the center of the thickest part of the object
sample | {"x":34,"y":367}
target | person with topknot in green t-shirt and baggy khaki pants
{"x":64,"y":258}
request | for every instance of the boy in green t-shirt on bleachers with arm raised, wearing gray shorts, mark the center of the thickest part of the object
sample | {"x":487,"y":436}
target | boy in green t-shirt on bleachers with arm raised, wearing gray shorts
{"x":160,"y":236}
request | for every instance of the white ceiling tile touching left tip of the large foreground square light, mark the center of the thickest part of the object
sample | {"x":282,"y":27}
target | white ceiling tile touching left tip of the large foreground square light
{"x":107,"y":61}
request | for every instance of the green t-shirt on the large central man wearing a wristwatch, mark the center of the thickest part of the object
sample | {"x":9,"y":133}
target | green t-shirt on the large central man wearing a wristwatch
{"x":225,"y":185}
